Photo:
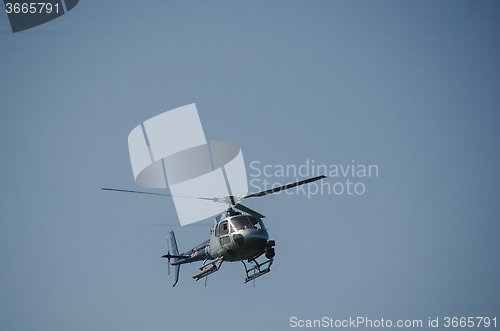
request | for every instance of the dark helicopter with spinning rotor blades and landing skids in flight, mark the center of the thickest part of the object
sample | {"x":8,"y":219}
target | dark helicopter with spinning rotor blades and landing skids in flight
{"x":235,"y":236}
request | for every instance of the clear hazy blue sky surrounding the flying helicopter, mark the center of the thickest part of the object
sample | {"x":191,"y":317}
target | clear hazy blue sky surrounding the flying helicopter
{"x":412,"y":87}
